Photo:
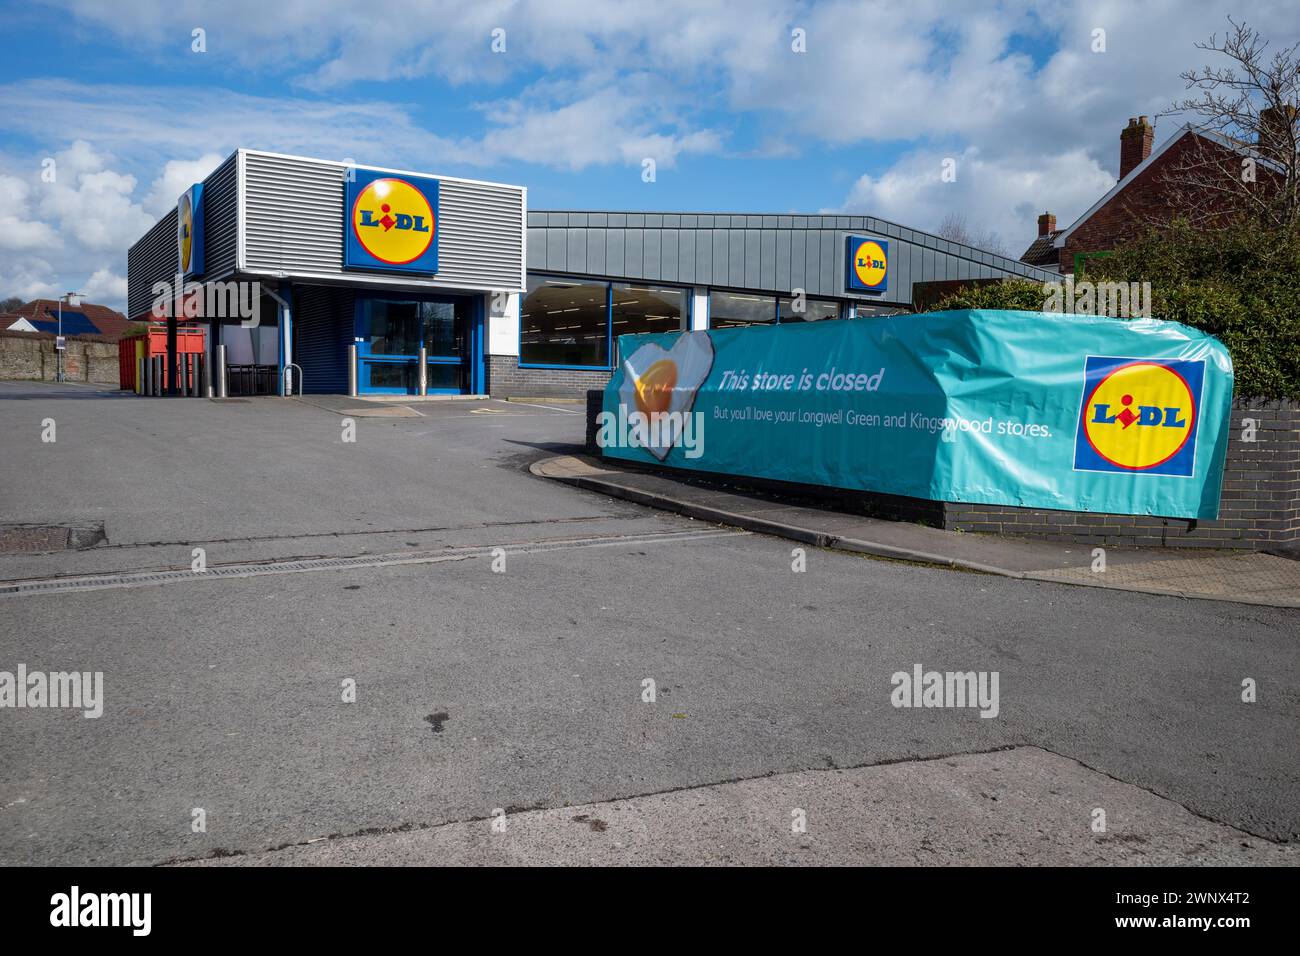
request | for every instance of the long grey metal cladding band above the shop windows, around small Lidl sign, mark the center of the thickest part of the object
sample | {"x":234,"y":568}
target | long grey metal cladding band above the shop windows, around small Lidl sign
{"x":766,"y":253}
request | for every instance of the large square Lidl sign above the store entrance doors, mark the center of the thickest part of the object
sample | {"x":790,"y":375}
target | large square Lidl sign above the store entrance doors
{"x":392,"y":222}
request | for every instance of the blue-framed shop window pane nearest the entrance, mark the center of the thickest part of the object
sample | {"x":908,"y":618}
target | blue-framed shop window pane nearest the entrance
{"x":565,"y":323}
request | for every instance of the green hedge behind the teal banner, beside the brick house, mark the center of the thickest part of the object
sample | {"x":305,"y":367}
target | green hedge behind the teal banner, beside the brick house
{"x":1242,"y":285}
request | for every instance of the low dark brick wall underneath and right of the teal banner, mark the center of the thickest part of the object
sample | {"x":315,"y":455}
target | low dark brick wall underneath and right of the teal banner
{"x":1259,"y":505}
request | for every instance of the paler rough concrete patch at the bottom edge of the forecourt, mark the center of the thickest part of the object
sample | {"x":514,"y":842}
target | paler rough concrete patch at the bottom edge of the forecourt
{"x":1017,"y":807}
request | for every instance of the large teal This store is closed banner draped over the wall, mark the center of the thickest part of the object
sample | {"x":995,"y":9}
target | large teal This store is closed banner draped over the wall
{"x":1002,"y":408}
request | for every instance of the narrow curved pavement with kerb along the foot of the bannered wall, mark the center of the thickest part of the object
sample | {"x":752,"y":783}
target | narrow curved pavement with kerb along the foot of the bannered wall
{"x":1242,"y":578}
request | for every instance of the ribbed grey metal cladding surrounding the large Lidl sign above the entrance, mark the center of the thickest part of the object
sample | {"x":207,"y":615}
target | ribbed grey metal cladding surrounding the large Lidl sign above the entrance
{"x":294,"y":226}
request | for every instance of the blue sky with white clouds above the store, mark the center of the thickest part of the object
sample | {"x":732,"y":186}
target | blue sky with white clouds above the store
{"x":1015,"y":92}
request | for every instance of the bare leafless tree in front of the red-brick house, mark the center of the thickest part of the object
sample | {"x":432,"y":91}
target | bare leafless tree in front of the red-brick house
{"x":1247,"y":159}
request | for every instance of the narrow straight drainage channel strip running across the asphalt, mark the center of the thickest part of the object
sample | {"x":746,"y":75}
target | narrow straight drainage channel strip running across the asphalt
{"x":135,"y":579}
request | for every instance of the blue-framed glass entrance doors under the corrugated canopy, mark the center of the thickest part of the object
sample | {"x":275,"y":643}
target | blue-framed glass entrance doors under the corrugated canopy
{"x":391,"y":334}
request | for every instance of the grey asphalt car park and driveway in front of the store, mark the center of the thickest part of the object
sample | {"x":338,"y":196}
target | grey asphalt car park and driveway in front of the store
{"x":478,"y":690}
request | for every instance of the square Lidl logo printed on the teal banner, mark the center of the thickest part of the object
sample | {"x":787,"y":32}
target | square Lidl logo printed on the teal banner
{"x":1139,"y":417}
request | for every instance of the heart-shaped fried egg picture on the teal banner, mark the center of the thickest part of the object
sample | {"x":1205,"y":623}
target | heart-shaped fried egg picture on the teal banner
{"x":666,"y":380}
